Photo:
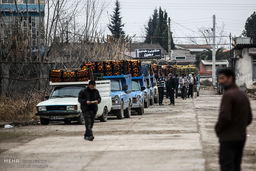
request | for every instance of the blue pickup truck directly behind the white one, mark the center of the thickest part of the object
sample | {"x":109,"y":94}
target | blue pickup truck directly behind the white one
{"x":121,"y":93}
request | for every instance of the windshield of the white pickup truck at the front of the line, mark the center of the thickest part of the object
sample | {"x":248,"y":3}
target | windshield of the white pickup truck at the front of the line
{"x":69,"y":91}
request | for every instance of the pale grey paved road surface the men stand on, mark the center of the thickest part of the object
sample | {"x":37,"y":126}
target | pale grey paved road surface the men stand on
{"x":179,"y":138}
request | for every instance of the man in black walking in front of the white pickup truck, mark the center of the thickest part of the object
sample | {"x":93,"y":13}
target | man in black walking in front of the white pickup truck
{"x":89,"y":99}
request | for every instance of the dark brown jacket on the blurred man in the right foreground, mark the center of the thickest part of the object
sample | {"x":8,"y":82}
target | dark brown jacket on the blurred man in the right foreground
{"x":235,"y":115}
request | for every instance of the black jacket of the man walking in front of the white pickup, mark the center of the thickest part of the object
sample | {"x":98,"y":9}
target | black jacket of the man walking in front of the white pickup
{"x":89,"y":95}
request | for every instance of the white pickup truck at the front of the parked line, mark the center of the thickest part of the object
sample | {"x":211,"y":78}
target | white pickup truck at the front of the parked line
{"x":63,"y":105}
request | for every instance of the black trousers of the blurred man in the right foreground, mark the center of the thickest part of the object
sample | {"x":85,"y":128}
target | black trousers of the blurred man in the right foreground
{"x":230,"y":155}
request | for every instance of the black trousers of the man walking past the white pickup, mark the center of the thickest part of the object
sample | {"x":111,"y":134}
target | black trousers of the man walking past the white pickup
{"x":89,"y":117}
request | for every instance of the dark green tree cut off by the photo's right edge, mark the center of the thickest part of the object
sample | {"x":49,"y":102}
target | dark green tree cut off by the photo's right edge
{"x":250,"y":27}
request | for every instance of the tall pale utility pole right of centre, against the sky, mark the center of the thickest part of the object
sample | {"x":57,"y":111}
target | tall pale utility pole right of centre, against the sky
{"x":214,"y":52}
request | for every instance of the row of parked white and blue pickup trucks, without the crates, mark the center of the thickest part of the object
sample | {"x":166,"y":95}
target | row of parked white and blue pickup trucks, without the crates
{"x":121,"y":95}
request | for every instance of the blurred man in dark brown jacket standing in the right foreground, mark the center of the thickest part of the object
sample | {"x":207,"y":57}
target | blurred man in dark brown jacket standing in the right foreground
{"x":234,"y":117}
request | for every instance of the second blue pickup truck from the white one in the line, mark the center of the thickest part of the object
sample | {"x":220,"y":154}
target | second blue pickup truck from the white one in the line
{"x":138,"y":94}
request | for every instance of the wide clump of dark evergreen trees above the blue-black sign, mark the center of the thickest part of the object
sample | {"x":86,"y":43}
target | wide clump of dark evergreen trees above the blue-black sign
{"x":157,"y":29}
